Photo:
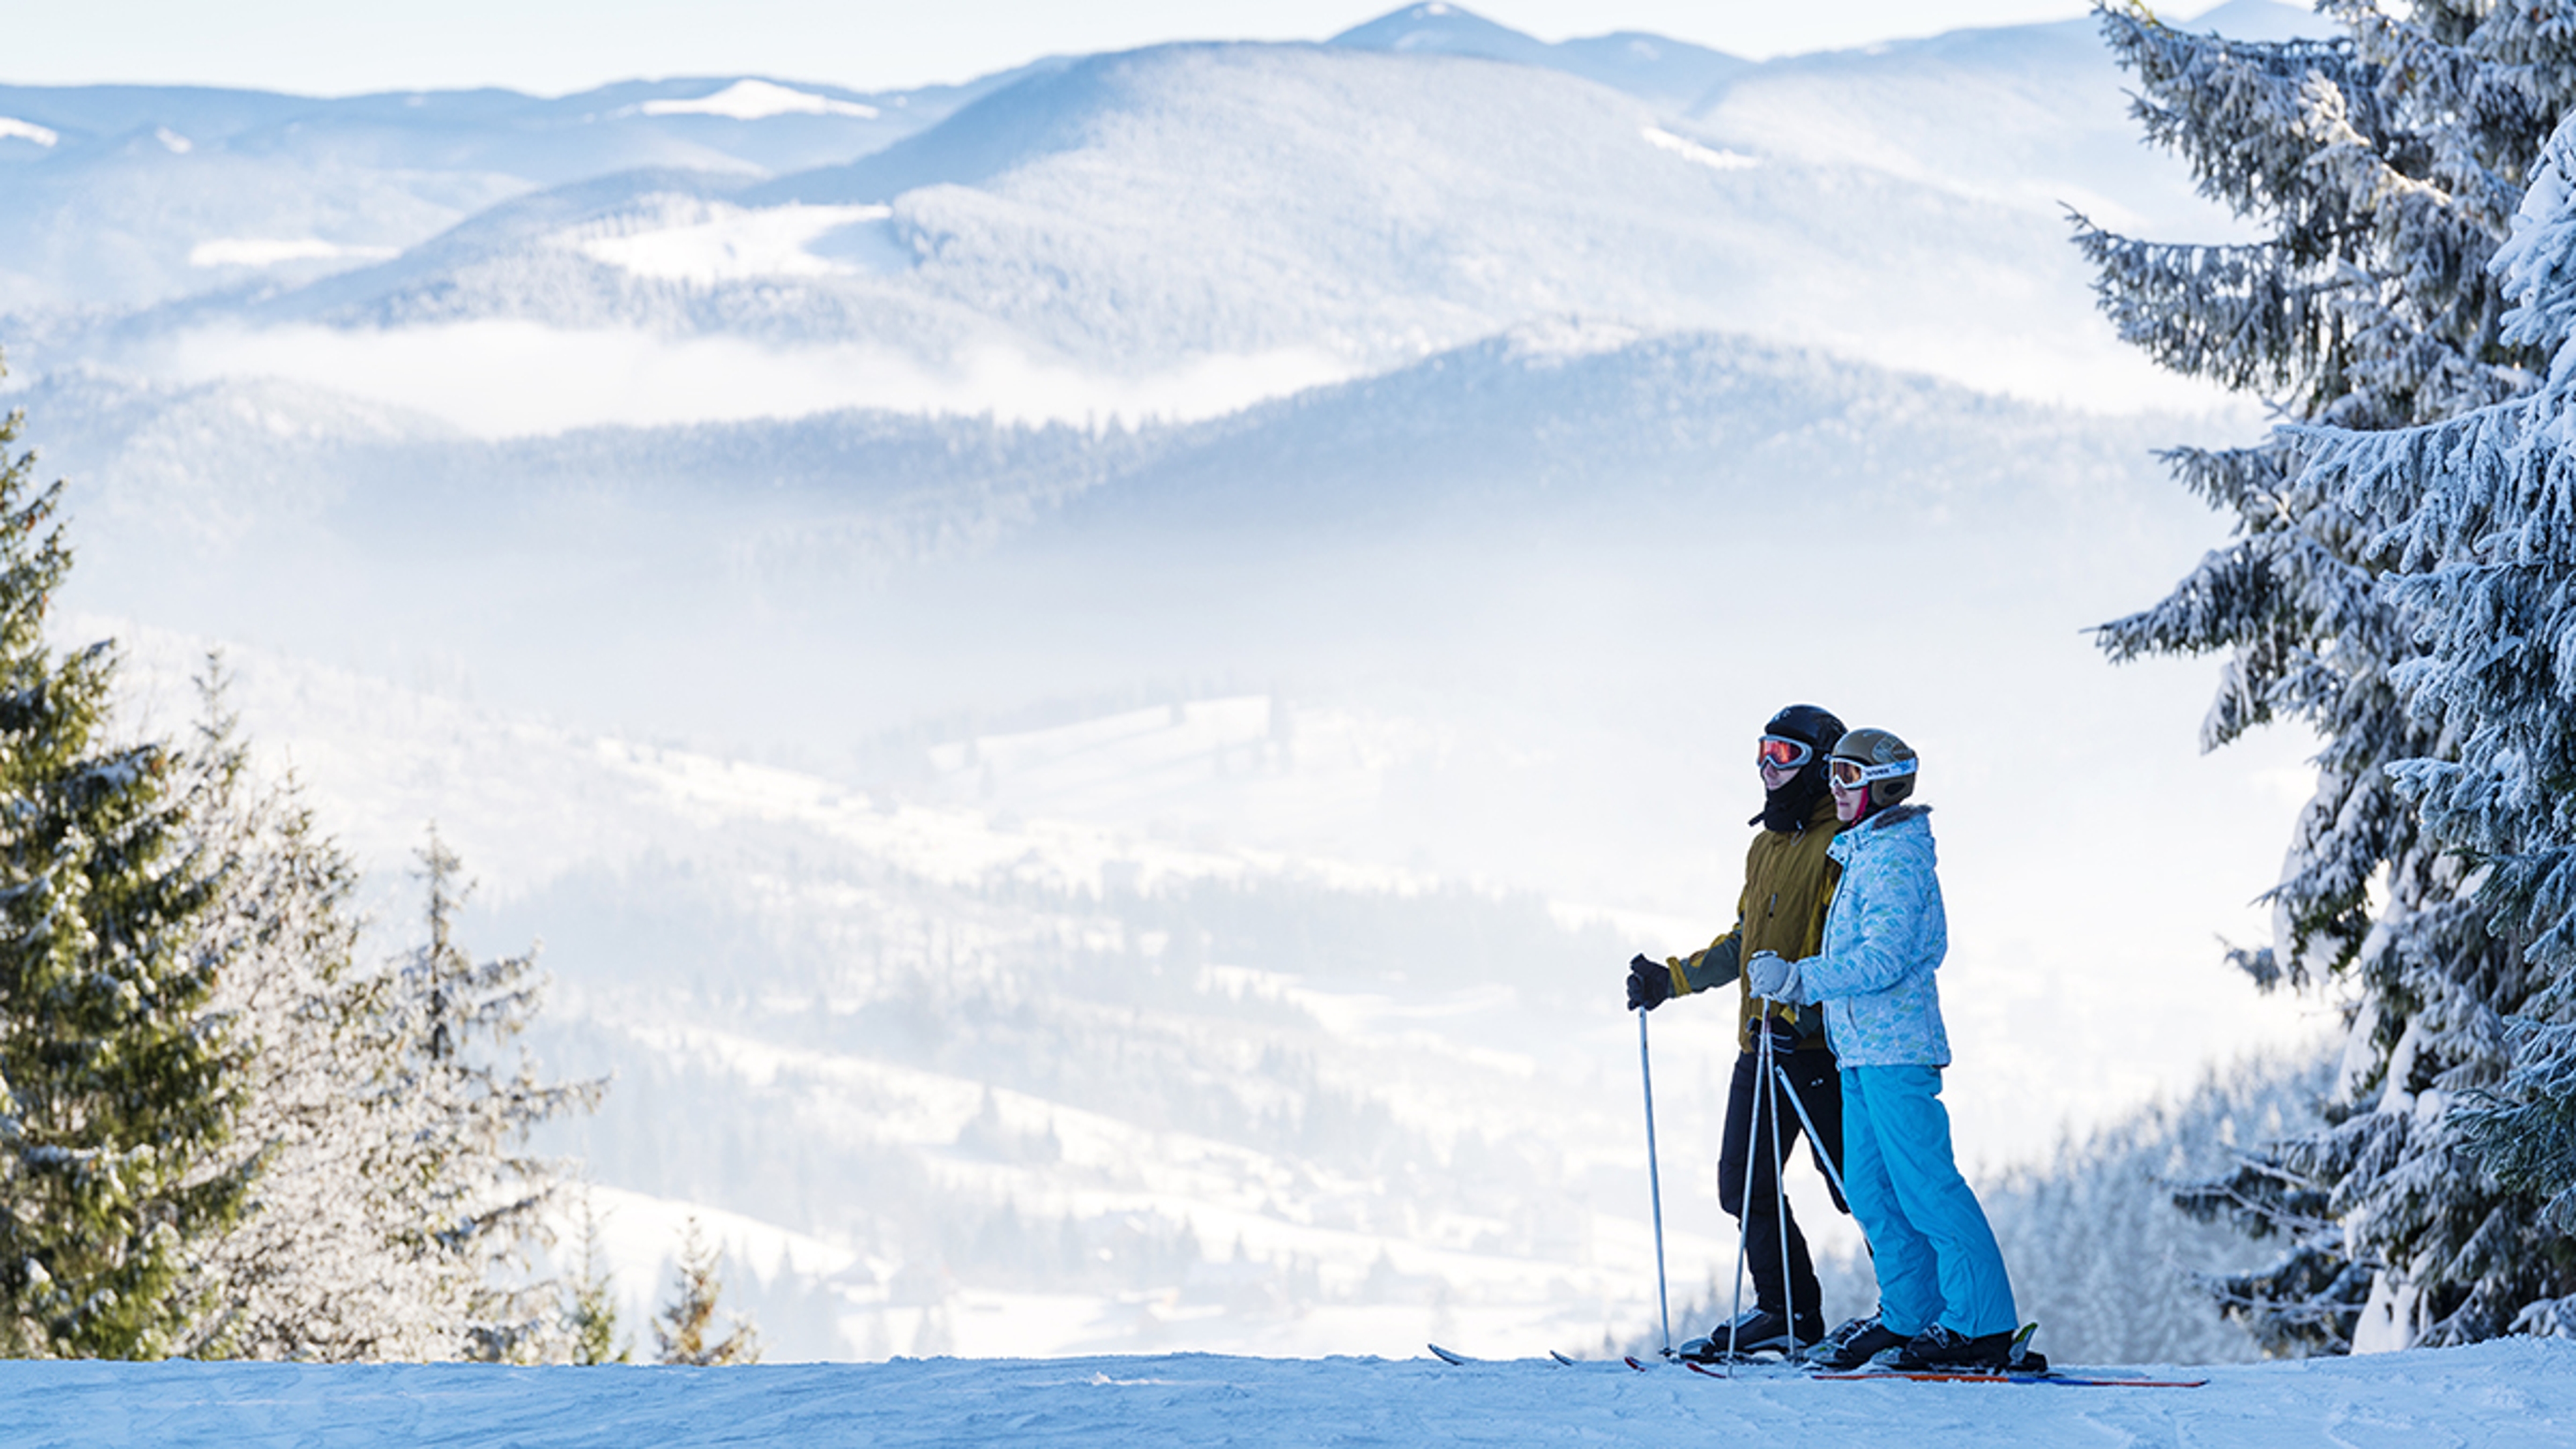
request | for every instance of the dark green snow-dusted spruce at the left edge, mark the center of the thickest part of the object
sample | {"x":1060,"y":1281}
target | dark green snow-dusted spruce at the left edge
{"x":117,"y":1089}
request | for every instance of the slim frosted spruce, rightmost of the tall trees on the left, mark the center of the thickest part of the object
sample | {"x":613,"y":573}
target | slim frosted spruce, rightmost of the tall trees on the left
{"x":475,"y":1195}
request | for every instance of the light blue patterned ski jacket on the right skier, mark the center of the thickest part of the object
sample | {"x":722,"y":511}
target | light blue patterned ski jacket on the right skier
{"x":1884,"y":940}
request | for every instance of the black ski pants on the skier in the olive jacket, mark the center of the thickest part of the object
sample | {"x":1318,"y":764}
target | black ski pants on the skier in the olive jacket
{"x":1748,"y":1143}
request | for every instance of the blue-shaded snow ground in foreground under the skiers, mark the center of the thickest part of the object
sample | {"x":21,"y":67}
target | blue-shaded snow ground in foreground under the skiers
{"x":2508,"y":1394}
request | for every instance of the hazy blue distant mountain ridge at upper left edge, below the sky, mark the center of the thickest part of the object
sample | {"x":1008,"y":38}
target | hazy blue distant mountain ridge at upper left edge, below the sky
{"x":130,"y":195}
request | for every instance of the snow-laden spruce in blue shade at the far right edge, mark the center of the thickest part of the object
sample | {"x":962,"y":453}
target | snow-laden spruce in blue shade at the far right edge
{"x":2479,"y":520}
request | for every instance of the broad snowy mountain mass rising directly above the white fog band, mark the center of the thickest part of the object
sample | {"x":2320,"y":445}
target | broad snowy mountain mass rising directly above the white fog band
{"x":1184,"y":231}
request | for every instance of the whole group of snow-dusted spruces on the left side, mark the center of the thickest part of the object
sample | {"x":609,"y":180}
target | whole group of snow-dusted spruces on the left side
{"x":223,"y":1131}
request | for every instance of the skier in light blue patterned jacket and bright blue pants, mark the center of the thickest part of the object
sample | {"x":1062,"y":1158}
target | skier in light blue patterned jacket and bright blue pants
{"x":1944,"y":1298}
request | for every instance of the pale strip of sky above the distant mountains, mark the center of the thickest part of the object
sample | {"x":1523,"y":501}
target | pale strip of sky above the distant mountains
{"x":336,"y":48}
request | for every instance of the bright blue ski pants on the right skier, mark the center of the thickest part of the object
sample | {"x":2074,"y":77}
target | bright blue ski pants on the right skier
{"x":1931,"y":1241}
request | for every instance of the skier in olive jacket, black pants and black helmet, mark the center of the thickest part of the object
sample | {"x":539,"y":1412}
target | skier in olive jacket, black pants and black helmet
{"x":1781,"y":909}
